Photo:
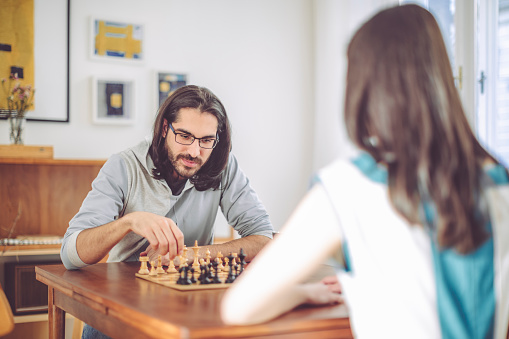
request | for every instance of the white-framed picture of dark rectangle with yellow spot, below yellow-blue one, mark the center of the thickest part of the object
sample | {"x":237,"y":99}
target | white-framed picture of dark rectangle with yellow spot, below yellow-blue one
{"x":113,"y":101}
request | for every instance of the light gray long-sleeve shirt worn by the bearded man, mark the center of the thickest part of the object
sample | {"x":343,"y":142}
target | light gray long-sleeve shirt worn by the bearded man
{"x":125,"y":184}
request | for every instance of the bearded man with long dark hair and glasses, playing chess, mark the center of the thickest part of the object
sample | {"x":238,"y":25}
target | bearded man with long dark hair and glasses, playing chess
{"x":157,"y":196}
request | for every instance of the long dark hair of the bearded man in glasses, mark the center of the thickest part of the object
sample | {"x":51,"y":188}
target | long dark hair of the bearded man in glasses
{"x":209,"y":176}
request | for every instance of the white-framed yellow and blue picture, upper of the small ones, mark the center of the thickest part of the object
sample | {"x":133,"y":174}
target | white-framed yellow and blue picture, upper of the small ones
{"x":116,"y":41}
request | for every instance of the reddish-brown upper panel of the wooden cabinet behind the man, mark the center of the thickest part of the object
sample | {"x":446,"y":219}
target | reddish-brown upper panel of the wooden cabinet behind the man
{"x":40,"y":196}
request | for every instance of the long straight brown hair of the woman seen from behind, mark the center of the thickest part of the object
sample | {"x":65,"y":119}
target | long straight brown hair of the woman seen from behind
{"x":403,"y":108}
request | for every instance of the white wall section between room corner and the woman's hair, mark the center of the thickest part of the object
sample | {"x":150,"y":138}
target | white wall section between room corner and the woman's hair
{"x":335,"y":23}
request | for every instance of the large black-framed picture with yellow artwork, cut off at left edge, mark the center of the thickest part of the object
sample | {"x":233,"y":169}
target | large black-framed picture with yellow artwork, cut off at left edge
{"x":48,"y":73}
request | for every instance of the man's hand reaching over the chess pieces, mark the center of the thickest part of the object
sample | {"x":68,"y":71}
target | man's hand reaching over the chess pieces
{"x":162,"y":233}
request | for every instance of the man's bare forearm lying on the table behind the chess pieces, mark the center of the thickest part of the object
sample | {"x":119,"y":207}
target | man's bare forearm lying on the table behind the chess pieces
{"x":251,"y":245}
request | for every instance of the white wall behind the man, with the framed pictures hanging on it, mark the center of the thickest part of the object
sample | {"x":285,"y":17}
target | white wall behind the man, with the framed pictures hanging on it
{"x":255,"y":55}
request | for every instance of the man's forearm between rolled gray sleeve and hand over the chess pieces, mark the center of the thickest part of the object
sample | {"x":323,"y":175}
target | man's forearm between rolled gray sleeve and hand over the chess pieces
{"x":93,"y":244}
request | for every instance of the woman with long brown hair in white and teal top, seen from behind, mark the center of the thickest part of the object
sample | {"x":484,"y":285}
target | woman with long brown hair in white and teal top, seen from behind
{"x":418,"y":219}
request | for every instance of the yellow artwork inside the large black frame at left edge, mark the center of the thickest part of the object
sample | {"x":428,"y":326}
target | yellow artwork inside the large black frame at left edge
{"x":16,"y":42}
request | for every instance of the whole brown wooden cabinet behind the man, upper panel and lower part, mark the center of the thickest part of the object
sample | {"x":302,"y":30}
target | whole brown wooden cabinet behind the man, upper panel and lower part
{"x":37,"y":197}
